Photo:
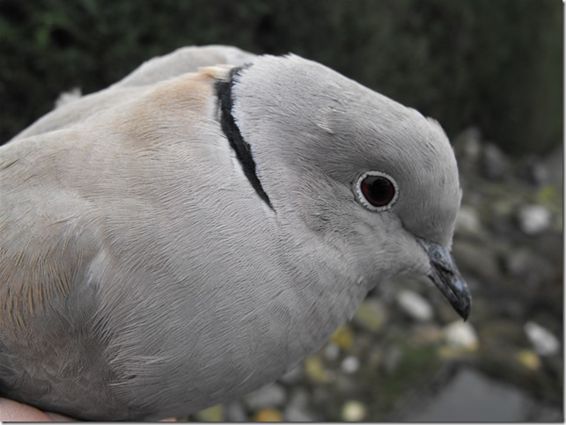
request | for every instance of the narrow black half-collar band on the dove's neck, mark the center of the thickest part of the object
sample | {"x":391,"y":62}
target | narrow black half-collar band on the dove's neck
{"x":232,"y":132}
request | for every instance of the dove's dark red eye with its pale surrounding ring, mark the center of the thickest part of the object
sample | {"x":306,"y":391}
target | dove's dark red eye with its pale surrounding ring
{"x":376,"y":191}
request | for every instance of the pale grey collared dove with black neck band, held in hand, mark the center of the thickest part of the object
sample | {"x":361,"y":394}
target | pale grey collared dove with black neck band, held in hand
{"x":197,"y":229}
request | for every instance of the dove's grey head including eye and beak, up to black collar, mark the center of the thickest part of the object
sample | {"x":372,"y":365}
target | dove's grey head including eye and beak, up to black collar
{"x":371,"y":177}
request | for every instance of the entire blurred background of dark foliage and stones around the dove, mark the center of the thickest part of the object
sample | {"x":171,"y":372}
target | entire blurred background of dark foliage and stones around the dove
{"x":491,"y":71}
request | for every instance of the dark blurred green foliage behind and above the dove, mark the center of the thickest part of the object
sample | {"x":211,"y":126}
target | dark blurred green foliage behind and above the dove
{"x":496,"y":64}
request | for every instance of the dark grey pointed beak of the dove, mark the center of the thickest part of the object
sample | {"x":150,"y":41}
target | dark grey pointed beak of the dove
{"x":445,"y":275}
